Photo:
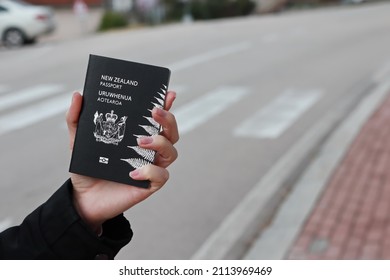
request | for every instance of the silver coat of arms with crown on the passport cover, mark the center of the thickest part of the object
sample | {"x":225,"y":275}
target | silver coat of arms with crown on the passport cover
{"x":109,"y":131}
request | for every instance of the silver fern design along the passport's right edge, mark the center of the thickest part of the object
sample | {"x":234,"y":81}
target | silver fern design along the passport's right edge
{"x":147,"y":156}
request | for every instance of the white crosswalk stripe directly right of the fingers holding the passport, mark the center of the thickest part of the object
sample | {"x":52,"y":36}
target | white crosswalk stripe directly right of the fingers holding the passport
{"x":199,"y":111}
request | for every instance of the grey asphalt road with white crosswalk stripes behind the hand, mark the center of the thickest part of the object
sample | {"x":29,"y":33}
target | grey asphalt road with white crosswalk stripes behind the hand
{"x":248,"y":89}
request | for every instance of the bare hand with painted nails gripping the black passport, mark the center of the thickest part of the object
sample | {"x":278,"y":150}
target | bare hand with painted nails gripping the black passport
{"x":99,"y":200}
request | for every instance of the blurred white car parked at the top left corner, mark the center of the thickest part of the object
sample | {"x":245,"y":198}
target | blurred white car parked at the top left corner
{"x":22,"y":23}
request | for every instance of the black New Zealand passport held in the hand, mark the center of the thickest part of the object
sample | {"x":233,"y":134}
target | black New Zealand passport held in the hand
{"x":118,"y":98}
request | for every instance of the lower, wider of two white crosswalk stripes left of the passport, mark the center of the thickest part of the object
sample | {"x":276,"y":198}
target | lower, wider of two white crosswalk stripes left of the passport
{"x":33,"y":114}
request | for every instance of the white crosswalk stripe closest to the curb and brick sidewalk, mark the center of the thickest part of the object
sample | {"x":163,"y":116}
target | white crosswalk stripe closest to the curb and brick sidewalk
{"x":272,"y":120}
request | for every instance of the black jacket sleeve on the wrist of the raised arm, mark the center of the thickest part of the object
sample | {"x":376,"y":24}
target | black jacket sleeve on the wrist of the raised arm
{"x":55,"y":231}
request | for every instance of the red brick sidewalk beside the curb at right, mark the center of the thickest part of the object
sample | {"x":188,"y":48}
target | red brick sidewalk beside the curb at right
{"x":351,"y":218}
